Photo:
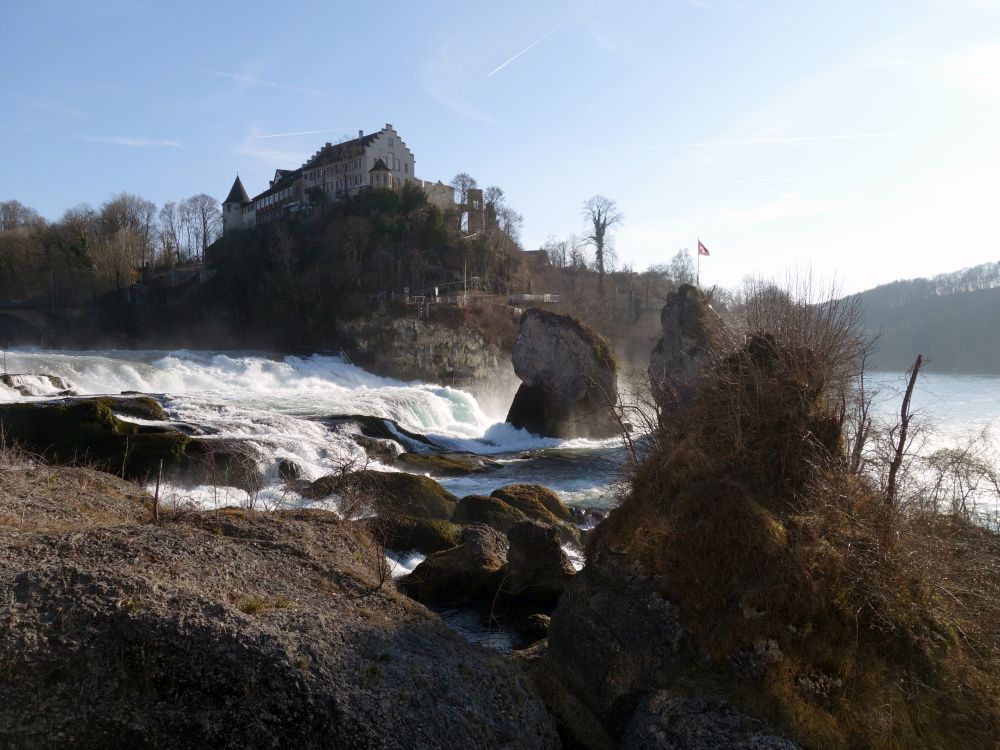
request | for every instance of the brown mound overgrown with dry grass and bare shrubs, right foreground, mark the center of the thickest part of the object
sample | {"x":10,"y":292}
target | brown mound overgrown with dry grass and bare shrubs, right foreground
{"x":756,"y":518}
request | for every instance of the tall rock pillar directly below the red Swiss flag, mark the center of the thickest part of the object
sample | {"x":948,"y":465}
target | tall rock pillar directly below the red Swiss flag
{"x":691,"y":332}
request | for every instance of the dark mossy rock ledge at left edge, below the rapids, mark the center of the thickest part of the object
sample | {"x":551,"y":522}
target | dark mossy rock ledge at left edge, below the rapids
{"x":99,"y":432}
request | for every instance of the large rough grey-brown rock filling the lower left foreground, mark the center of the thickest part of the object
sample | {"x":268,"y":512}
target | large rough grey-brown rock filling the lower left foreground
{"x":233,"y":630}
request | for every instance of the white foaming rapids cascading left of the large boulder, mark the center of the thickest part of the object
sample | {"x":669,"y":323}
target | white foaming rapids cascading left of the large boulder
{"x":273,"y":404}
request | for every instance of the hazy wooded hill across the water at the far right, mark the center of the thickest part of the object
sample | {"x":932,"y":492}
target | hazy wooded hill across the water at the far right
{"x":953,"y":319}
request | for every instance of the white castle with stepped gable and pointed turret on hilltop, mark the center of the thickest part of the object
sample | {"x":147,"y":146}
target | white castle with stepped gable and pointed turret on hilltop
{"x":376,"y":160}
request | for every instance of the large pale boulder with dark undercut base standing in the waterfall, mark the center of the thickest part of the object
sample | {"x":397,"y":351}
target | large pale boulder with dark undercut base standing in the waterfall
{"x":569,"y":378}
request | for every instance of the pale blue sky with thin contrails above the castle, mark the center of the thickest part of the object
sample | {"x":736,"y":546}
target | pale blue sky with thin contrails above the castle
{"x":856,"y":140}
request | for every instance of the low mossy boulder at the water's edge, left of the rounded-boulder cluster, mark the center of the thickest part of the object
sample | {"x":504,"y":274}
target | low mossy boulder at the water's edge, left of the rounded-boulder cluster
{"x":388,"y":493}
